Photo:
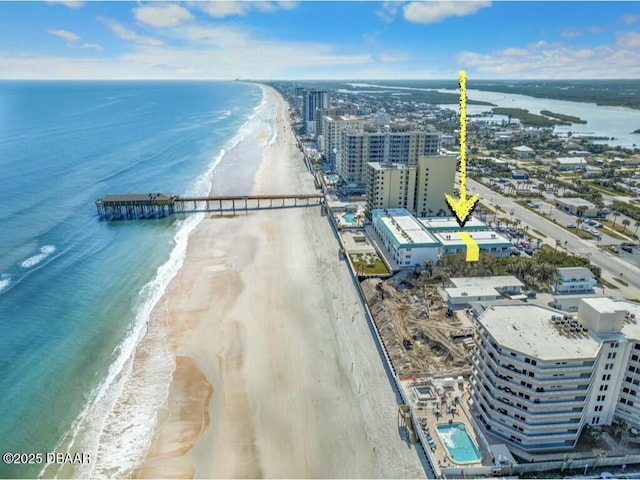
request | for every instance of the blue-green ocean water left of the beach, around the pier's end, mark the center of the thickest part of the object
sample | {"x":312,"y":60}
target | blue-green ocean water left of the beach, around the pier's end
{"x":72,"y":288}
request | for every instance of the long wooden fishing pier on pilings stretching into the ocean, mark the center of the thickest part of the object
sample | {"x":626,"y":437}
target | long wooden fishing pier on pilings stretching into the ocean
{"x":159,"y":205}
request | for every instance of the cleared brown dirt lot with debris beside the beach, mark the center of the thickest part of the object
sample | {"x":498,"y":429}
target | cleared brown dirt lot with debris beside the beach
{"x":421,"y":335}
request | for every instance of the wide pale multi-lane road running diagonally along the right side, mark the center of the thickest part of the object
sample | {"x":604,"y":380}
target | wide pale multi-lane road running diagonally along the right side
{"x":611,"y":264}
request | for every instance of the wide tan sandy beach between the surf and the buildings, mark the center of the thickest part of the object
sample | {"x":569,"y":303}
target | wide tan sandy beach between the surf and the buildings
{"x":277,"y":374}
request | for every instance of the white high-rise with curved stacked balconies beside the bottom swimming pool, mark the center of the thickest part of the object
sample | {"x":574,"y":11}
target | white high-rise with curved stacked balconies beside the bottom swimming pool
{"x":539,"y":376}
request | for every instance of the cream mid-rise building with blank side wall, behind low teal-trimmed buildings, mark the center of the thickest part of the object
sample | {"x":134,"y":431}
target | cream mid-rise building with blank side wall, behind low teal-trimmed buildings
{"x":419,"y":187}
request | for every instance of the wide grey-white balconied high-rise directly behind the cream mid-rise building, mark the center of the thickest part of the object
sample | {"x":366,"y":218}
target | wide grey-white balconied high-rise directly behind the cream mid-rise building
{"x":401,"y":143}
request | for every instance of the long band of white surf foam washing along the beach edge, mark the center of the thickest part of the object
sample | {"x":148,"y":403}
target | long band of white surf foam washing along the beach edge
{"x":116,"y":427}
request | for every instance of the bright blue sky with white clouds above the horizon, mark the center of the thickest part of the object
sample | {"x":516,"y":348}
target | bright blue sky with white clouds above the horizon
{"x":305,"y":40}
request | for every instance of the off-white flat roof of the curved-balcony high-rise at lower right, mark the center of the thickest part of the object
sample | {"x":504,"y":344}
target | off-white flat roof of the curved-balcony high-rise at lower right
{"x":526,"y":328}
